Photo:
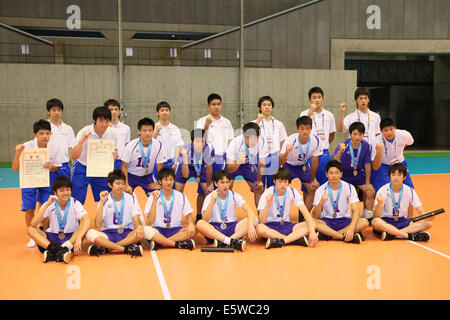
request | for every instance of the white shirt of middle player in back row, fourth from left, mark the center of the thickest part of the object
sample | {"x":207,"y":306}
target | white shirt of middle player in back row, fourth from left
{"x":219,"y":133}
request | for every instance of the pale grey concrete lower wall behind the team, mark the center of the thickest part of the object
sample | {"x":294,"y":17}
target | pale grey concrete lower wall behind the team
{"x":25,"y":88}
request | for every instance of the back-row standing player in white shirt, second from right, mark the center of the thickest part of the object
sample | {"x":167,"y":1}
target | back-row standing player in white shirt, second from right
{"x":323,"y":127}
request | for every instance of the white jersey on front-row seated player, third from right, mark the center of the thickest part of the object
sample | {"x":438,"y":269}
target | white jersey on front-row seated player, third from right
{"x":292,"y":196}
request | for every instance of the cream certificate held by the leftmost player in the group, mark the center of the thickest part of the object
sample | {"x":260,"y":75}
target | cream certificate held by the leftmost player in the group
{"x":32,"y":174}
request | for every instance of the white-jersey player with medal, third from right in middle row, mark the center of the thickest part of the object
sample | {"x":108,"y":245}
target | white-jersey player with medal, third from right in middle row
{"x":297,"y":150}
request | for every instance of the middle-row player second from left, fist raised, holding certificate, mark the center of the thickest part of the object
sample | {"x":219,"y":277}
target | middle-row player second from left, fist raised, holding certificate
{"x":99,"y":130}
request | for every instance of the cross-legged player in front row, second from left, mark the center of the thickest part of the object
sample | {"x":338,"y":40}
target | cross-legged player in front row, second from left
{"x":118,"y":214}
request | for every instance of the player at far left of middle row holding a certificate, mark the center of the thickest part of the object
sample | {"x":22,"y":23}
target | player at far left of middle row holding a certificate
{"x":32,"y":198}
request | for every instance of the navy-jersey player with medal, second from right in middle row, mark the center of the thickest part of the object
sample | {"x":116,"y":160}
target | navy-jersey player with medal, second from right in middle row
{"x":355,"y":154}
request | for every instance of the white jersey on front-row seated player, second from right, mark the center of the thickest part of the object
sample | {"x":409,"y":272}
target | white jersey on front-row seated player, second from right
{"x":348,"y":196}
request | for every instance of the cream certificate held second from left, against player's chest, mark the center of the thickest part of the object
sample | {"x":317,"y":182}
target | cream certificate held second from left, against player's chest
{"x":100,"y":160}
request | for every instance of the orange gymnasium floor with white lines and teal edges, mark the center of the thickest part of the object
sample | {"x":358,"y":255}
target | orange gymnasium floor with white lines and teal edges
{"x":332,"y":270}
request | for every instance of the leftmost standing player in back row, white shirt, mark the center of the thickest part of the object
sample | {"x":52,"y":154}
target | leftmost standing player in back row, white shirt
{"x":62,"y":133}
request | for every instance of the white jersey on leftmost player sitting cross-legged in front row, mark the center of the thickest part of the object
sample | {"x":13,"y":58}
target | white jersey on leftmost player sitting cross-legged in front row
{"x":76,"y":212}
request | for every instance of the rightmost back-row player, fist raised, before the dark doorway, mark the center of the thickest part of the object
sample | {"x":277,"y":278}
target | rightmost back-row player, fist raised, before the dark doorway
{"x":370,"y":119}
